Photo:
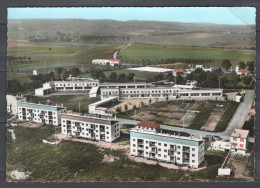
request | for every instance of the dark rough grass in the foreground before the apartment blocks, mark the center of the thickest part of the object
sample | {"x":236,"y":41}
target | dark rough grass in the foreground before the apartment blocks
{"x":75,"y":161}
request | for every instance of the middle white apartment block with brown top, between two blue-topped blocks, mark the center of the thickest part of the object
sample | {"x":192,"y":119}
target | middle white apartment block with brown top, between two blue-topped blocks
{"x":100,"y":129}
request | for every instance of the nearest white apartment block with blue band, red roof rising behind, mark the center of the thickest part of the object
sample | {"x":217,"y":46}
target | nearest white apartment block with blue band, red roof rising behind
{"x":147,"y":141}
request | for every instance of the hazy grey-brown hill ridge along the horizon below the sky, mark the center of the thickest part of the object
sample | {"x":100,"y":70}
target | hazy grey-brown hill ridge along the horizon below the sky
{"x":22,"y":29}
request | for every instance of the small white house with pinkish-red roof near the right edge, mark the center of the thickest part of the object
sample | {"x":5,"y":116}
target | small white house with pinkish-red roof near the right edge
{"x":239,"y":141}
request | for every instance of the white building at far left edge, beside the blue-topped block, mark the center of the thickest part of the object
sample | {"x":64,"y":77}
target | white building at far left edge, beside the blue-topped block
{"x":12,"y":101}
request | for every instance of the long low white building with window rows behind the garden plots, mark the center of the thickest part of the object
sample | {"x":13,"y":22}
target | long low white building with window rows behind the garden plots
{"x":162,"y":93}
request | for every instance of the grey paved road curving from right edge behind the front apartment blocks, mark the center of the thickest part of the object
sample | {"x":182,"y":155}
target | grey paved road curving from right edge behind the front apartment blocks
{"x":235,"y":122}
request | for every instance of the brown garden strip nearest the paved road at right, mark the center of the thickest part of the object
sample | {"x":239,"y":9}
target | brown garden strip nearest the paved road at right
{"x":213,"y":120}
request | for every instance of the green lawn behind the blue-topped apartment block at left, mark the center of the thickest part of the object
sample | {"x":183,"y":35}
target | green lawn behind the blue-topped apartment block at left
{"x":70,"y":101}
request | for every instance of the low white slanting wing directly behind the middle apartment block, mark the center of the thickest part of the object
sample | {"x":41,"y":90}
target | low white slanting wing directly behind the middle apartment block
{"x":101,"y":107}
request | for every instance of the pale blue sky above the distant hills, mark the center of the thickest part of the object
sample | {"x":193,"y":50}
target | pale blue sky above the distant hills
{"x":215,"y":15}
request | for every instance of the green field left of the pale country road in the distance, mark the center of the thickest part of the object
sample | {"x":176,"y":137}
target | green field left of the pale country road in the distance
{"x":59,"y":55}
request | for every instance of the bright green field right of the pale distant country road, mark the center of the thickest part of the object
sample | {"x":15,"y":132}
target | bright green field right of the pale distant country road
{"x":137,"y":52}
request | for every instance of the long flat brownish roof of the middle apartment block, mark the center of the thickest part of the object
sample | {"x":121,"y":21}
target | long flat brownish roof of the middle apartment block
{"x":89,"y":119}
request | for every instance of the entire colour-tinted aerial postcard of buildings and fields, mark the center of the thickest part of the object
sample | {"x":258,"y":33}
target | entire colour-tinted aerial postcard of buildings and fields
{"x":130,"y":94}
